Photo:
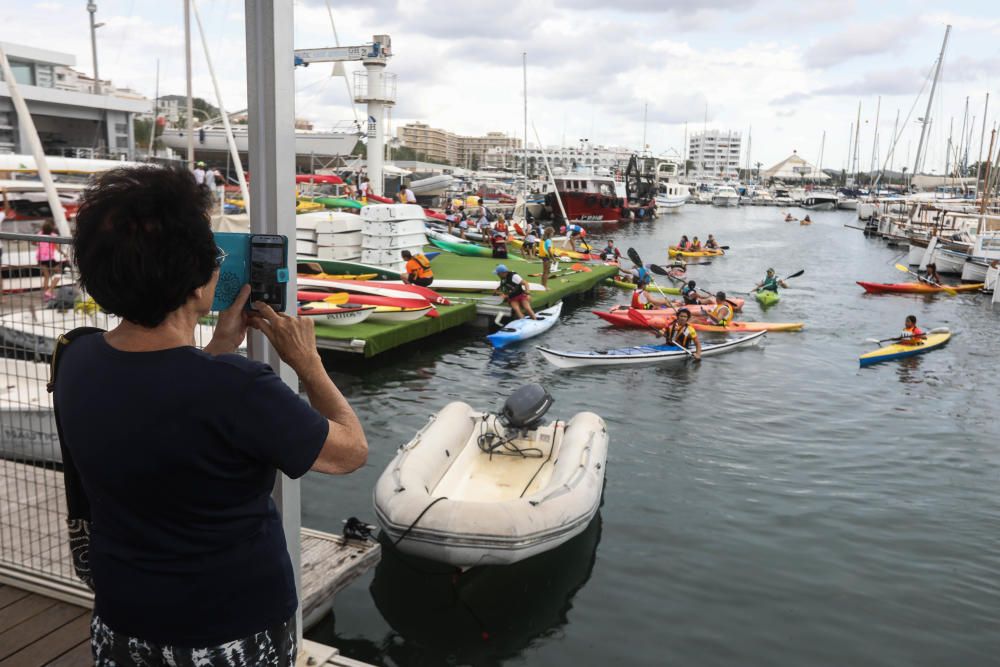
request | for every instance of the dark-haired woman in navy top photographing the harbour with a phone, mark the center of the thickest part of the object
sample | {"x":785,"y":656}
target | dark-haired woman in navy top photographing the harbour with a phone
{"x":171,"y":518}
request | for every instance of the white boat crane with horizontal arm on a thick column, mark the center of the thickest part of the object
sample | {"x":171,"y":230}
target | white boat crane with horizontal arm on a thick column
{"x":374,"y":86}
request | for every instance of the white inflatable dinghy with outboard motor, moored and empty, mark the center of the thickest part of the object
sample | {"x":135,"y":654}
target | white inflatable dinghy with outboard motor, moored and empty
{"x":448,"y":498}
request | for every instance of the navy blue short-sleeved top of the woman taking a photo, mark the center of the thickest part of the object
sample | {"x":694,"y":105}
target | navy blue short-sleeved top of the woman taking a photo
{"x":177,"y":451}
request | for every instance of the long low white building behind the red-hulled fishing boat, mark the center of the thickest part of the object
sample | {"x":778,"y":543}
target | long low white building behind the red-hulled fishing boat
{"x":585,"y":157}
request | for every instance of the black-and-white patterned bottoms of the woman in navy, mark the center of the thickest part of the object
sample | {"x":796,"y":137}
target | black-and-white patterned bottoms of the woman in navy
{"x":272,"y":647}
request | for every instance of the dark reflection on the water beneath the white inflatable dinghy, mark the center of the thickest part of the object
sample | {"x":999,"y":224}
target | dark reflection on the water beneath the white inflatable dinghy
{"x":484,"y":615}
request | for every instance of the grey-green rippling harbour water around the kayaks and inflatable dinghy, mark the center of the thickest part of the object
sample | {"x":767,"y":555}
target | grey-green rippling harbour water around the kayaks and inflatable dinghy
{"x":775,"y":506}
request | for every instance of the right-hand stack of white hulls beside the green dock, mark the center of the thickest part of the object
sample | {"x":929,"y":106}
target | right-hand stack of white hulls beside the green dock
{"x":389,"y":229}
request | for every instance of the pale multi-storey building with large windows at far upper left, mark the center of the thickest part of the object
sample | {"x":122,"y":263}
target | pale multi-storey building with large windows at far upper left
{"x":71,"y":119}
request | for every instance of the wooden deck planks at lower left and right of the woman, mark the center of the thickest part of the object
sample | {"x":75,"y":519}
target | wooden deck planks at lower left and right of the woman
{"x":55,"y":607}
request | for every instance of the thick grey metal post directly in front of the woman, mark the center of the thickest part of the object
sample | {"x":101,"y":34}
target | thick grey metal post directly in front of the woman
{"x":271,"y":111}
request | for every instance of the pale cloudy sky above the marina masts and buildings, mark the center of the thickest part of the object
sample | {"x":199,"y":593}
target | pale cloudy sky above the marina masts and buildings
{"x":788,"y":69}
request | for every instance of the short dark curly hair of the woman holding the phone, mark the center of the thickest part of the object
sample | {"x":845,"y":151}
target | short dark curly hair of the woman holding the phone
{"x":143,"y":241}
